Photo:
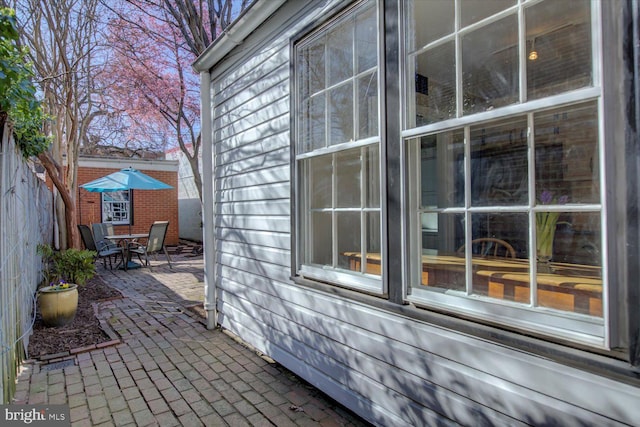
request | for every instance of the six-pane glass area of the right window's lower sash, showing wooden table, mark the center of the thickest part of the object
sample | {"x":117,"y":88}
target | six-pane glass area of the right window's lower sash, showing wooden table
{"x":504,"y":208}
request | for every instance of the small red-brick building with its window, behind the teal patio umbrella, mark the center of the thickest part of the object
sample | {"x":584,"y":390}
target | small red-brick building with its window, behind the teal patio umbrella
{"x":139,"y":208}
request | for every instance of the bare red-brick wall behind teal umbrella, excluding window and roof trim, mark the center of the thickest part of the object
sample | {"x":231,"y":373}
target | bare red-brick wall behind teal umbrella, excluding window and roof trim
{"x":148,"y":205}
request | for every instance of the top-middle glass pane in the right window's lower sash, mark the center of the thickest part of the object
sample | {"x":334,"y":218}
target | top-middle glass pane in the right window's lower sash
{"x":499,"y":163}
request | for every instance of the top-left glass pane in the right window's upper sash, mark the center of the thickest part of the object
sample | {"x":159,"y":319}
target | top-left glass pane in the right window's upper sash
{"x":428,"y":21}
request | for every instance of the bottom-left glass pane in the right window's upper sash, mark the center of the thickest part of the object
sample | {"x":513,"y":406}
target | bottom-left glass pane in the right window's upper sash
{"x":435,"y":84}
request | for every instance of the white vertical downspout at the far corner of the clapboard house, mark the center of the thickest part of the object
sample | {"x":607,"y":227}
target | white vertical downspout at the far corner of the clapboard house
{"x":210,"y":294}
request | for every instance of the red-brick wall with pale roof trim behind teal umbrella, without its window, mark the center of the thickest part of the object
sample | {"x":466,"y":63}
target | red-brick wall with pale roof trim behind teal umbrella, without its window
{"x":148,"y":205}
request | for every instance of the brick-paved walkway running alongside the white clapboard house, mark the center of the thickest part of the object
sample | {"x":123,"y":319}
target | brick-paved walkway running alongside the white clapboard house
{"x":169,"y":370}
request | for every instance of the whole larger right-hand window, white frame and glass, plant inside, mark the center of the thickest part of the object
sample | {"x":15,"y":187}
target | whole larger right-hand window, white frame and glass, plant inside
{"x":503,"y":148}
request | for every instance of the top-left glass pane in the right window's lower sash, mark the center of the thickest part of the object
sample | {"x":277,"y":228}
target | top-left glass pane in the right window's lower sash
{"x":442,"y":170}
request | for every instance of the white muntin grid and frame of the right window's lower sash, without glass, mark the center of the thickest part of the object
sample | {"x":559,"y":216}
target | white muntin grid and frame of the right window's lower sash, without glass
{"x":582,"y":322}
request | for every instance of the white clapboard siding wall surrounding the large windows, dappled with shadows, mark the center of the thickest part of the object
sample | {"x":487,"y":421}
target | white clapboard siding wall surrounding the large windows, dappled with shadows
{"x":392,"y":364}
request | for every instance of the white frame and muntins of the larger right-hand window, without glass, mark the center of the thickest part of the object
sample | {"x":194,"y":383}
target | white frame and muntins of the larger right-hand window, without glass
{"x":592,"y":331}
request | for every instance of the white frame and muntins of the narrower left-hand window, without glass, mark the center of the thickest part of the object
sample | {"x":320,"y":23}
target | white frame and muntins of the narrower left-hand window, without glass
{"x":325,"y":273}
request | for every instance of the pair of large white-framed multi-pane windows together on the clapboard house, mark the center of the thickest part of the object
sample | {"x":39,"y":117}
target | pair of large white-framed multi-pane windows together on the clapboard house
{"x":499,"y":177}
